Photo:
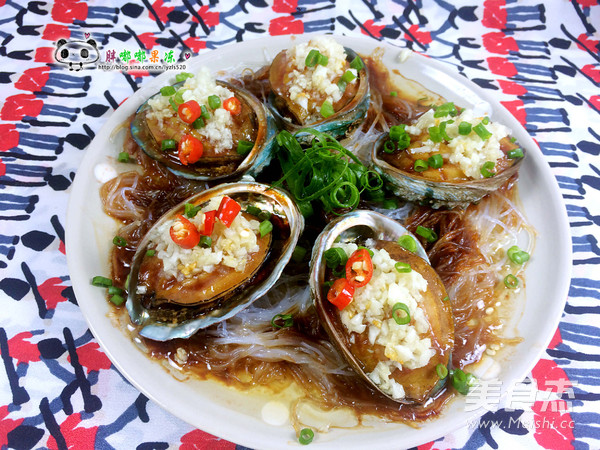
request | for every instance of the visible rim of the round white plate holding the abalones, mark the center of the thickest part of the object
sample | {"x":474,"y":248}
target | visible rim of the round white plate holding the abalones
{"x":229,"y":414}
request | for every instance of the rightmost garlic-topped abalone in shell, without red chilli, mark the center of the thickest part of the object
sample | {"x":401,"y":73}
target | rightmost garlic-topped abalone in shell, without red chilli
{"x":448,"y":157}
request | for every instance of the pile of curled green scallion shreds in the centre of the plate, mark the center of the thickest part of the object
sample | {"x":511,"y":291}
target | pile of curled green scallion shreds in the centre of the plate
{"x":324,"y":172}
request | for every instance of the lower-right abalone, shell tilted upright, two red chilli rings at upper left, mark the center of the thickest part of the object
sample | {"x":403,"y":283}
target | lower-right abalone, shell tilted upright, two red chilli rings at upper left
{"x":391,"y":319}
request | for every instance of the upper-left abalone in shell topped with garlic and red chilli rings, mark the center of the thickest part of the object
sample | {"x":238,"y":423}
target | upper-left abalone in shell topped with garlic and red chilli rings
{"x":205,"y":129}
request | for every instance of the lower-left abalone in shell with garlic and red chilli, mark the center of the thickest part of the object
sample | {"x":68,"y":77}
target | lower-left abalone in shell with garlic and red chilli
{"x":210,"y":257}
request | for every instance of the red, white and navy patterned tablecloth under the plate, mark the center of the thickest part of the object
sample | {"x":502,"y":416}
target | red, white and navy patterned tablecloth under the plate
{"x":59,"y":390}
